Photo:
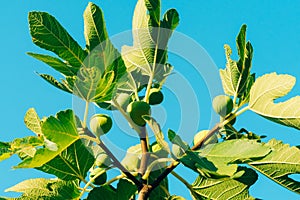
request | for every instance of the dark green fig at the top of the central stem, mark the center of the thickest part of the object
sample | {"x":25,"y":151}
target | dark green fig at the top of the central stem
{"x":136,"y":110}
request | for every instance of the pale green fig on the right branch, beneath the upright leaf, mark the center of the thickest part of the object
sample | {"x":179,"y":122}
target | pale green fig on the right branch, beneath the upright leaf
{"x":223,"y":105}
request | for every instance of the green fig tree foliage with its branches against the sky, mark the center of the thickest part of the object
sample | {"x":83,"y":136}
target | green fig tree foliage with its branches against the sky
{"x":64,"y":146}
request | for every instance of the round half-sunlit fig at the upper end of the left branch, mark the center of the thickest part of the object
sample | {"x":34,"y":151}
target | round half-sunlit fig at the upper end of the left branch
{"x":100,"y":124}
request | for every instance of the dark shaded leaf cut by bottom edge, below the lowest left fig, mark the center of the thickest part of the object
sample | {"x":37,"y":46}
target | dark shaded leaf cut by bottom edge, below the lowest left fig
{"x":102,"y":193}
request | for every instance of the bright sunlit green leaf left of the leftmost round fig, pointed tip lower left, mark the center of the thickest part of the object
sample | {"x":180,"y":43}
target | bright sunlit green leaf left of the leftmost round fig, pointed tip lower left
{"x":60,"y":130}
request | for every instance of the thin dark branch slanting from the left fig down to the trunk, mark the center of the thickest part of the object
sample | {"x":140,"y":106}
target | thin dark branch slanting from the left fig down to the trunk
{"x":116,"y":161}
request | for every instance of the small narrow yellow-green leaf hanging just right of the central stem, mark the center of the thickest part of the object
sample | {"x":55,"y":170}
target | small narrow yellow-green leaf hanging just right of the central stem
{"x":155,"y":127}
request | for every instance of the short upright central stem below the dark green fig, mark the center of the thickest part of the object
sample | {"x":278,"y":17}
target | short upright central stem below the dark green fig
{"x":145,"y":151}
